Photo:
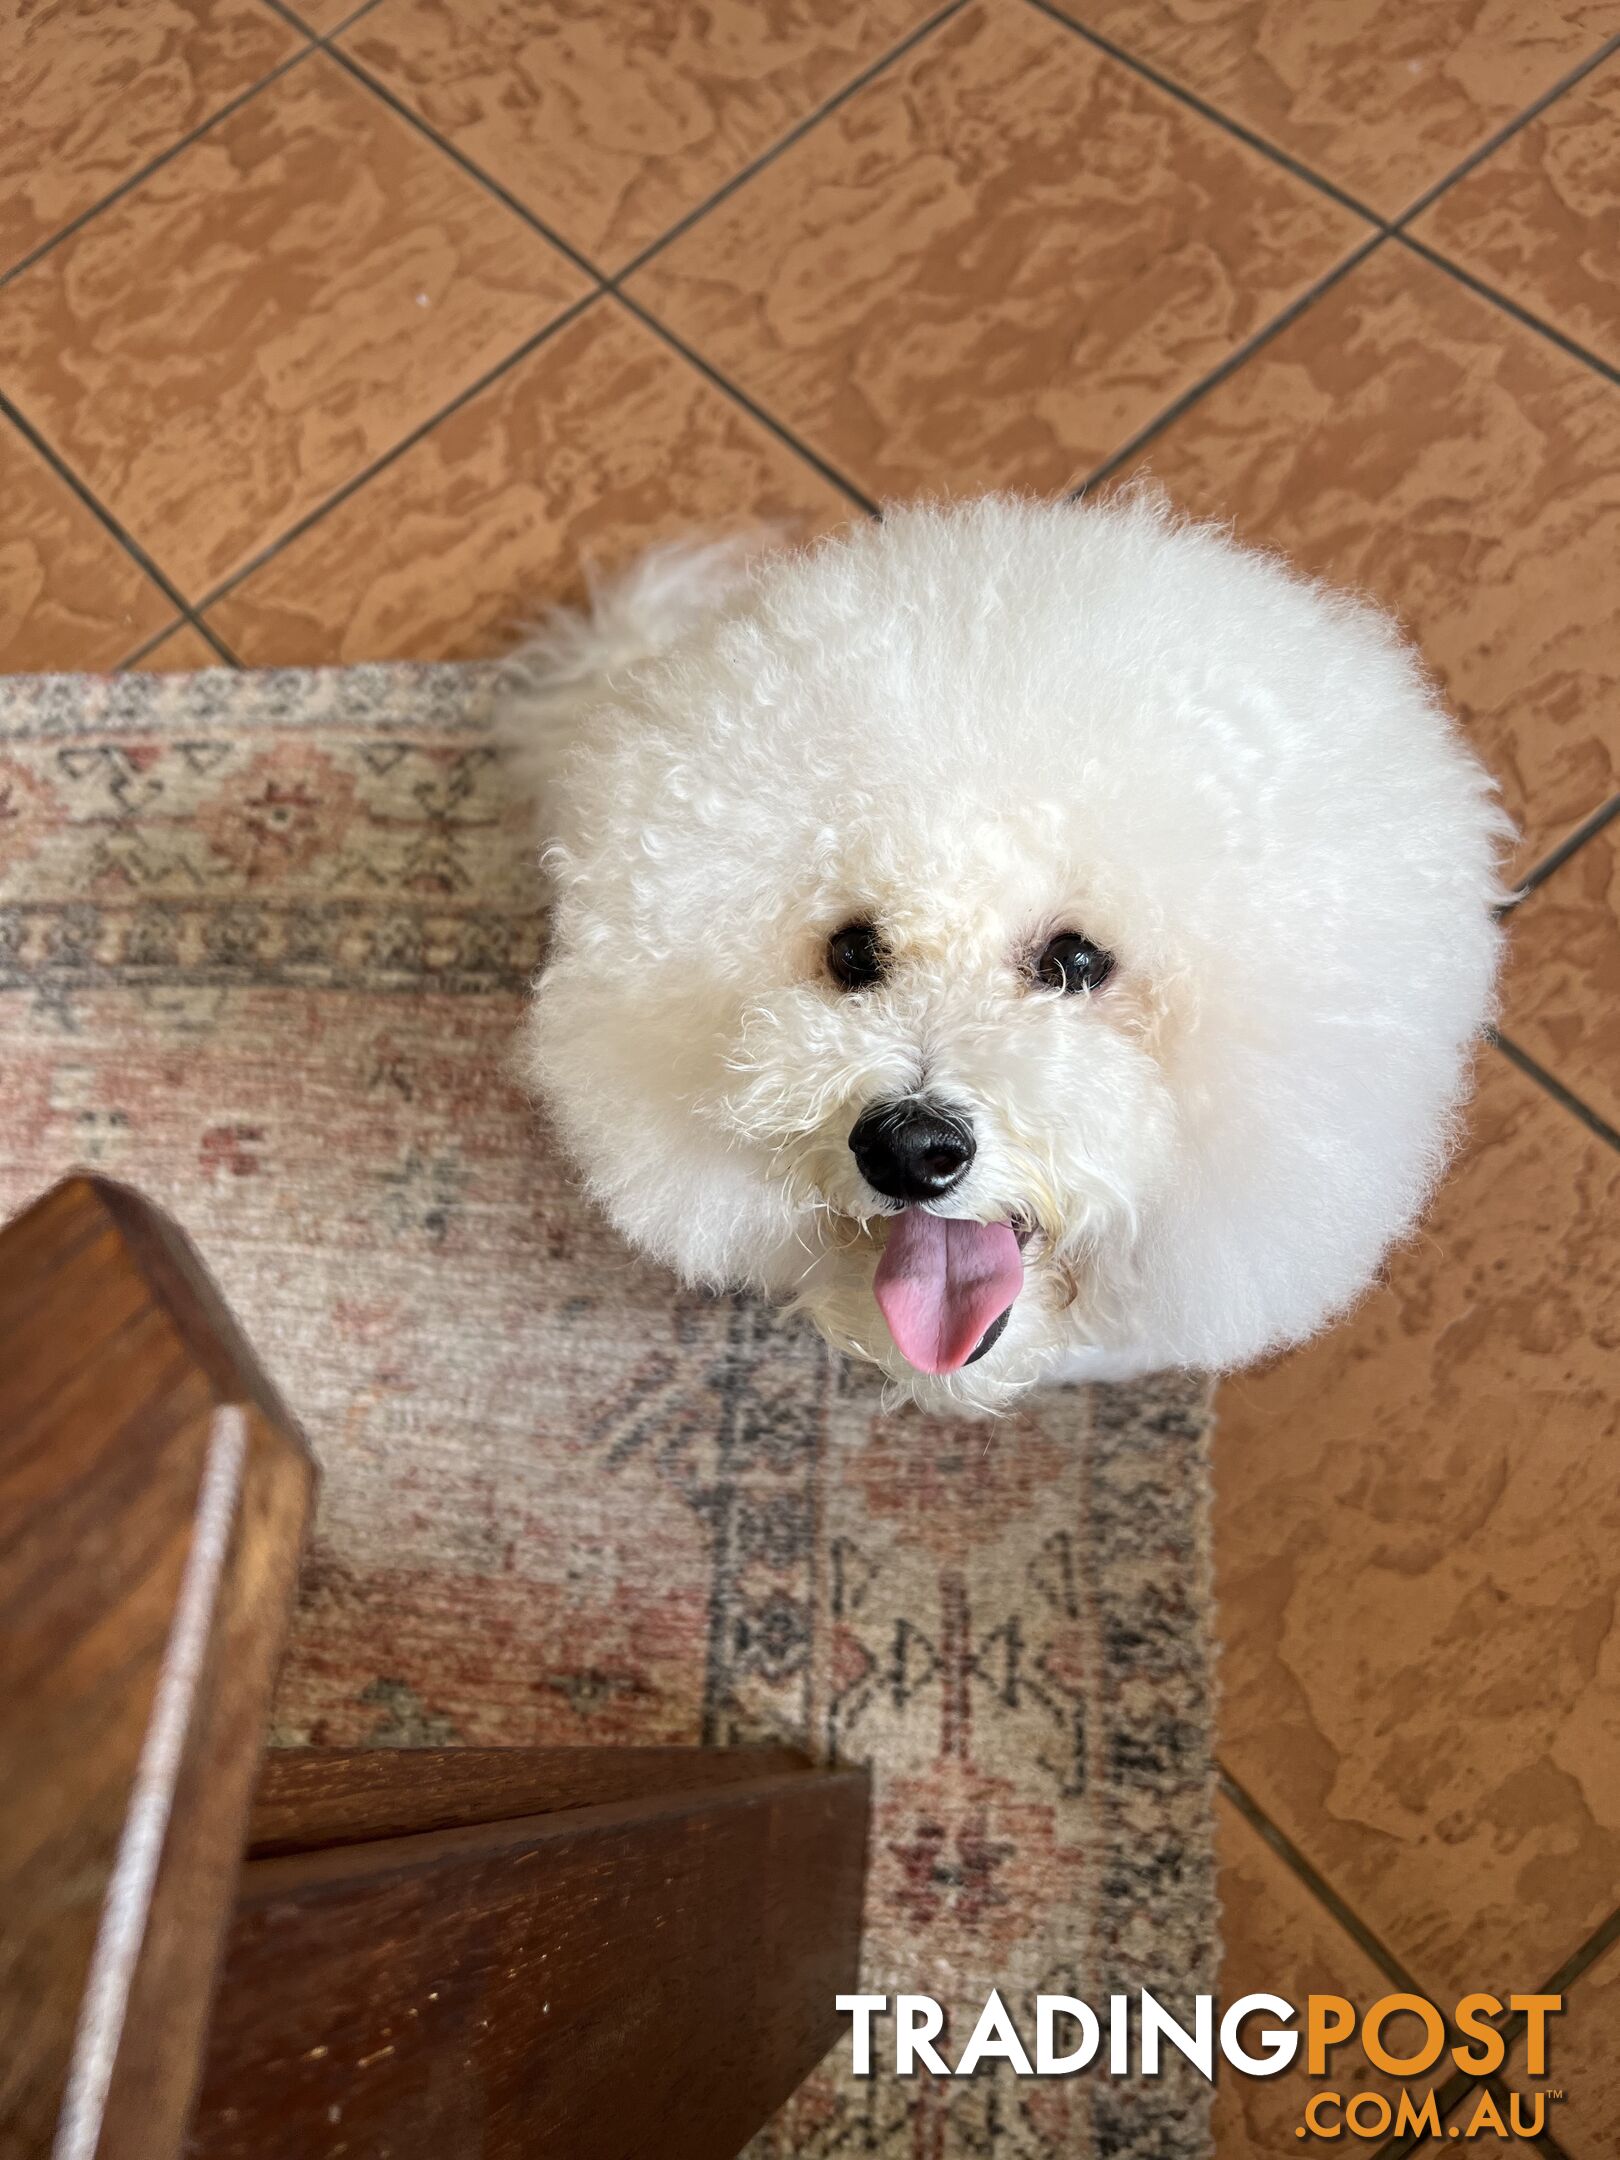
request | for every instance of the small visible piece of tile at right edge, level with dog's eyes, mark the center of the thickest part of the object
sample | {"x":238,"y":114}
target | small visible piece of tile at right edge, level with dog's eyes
{"x":1563,"y":995}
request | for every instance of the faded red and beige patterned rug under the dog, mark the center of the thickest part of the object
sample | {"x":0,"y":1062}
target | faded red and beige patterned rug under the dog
{"x":262,"y":951}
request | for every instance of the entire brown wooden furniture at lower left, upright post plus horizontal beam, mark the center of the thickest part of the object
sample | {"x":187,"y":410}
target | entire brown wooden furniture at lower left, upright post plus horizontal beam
{"x":457,"y":1954}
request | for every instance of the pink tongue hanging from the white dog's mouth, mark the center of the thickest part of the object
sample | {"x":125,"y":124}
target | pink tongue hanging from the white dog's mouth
{"x":941,"y":1284}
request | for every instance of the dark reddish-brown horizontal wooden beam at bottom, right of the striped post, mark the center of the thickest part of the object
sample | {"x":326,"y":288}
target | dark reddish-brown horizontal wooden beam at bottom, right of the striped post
{"x":612,"y":1977}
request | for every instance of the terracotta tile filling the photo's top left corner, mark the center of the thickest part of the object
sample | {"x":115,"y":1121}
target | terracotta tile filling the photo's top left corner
{"x":90,"y":94}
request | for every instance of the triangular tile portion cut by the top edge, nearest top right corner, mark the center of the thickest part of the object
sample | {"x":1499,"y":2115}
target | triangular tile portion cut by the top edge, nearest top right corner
{"x":1381,"y":96}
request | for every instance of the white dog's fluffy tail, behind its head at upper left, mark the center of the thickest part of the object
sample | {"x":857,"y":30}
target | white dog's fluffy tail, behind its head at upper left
{"x":556,"y":679}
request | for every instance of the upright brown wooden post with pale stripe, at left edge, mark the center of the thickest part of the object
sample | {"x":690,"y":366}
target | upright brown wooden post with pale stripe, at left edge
{"x":152,"y":1509}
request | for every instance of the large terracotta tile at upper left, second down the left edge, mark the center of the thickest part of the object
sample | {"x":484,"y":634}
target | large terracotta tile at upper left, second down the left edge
{"x":267,"y":314}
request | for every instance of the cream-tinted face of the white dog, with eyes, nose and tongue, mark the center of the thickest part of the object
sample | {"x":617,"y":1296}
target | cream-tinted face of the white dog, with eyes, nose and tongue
{"x":960,"y":1090}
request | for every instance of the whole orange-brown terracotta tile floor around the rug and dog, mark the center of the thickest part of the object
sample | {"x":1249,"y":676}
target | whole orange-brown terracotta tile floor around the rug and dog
{"x":342,"y":332}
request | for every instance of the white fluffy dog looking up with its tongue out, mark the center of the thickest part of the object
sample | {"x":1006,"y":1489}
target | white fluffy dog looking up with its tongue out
{"x":1042,"y":941}
